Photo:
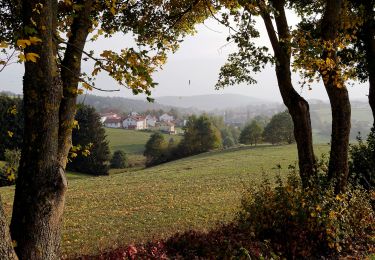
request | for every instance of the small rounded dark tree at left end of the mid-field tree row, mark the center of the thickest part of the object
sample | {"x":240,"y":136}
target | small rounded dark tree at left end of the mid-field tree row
{"x":155,"y":149}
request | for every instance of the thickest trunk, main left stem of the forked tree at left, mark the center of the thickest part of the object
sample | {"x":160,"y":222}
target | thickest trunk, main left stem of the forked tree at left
{"x":41,"y":183}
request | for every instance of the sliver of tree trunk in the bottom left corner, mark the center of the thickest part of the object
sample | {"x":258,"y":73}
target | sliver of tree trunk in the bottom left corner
{"x":6,"y":246}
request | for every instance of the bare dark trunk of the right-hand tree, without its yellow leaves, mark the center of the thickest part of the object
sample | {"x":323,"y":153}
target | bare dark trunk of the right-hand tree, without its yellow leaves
{"x":338,"y":170}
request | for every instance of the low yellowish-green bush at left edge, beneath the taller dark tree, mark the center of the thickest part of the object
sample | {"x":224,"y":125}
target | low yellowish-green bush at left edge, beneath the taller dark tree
{"x":8,"y":171}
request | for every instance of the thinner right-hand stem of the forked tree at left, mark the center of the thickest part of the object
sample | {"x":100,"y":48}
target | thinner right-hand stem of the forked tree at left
{"x":70,"y":75}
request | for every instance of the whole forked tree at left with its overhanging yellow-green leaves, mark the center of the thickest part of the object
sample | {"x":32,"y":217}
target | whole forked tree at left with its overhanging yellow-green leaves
{"x":51,"y":80}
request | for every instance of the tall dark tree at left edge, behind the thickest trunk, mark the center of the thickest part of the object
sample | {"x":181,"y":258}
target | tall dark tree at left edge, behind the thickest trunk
{"x":11,"y":128}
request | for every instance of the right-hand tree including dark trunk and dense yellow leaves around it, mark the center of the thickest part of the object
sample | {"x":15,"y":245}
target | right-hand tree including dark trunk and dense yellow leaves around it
{"x":321,"y":55}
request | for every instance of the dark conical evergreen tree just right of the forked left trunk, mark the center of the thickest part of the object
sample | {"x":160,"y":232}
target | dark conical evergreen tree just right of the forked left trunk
{"x":90,"y":153}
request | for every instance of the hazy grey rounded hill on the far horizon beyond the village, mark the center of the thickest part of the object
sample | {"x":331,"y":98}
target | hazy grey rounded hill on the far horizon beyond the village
{"x":211,"y":102}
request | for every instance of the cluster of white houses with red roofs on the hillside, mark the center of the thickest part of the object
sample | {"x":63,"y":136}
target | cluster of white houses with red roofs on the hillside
{"x":165,"y":123}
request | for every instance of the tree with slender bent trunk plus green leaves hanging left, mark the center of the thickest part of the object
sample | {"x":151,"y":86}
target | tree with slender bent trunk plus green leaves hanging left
{"x":251,"y":59}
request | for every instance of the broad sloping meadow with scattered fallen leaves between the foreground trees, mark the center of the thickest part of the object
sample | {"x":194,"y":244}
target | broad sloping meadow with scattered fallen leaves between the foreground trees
{"x":192,"y":193}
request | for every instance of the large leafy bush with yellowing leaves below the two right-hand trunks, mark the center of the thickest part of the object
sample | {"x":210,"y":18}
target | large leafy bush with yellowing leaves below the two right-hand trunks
{"x":309,"y":223}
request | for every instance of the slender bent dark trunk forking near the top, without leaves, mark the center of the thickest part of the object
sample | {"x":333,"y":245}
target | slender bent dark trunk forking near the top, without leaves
{"x":297,"y":106}
